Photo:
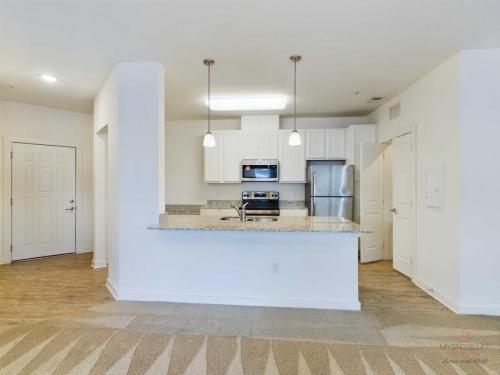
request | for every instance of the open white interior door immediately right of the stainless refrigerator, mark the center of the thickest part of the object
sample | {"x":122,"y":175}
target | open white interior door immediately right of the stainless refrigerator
{"x":372,"y":201}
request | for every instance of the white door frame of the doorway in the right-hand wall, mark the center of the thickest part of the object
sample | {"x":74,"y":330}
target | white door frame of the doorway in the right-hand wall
{"x":413,"y":133}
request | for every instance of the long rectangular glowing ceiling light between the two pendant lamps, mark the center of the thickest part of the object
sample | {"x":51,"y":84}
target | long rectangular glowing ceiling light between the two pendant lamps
{"x":248,"y":103}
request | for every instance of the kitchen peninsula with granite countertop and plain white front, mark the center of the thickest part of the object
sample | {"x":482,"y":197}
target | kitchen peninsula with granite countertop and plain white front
{"x":307,"y":262}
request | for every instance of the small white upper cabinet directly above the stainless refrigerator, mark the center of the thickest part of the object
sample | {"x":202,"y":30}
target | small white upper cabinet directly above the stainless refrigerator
{"x":324,"y":144}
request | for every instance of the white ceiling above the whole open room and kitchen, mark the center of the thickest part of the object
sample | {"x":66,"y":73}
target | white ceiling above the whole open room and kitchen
{"x":375,"y":47}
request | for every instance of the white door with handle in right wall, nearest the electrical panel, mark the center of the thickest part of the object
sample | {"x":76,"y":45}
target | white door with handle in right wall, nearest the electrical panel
{"x":404,"y":181}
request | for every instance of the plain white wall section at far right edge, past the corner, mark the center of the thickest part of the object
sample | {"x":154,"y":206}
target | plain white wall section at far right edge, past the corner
{"x":480,"y":180}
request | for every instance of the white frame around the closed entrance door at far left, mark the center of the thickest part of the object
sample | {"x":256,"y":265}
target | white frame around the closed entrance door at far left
{"x":5,"y":253}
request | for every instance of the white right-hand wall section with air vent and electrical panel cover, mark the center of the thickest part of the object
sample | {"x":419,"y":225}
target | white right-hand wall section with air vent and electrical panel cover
{"x":431,"y":106}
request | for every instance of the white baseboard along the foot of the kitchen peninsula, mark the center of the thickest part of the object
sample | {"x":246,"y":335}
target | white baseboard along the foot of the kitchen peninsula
{"x":238,"y":301}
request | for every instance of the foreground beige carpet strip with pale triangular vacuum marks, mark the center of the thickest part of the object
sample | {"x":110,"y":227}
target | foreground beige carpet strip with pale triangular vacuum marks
{"x":45,"y":349}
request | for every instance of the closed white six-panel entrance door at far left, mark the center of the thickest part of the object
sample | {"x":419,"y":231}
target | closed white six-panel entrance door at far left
{"x":43,"y":200}
